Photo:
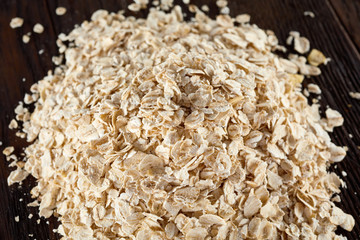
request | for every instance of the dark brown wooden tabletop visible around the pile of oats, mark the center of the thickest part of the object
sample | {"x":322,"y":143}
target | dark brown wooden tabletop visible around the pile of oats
{"x":327,"y":32}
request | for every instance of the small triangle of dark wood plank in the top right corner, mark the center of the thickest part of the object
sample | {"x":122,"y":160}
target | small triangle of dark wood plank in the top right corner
{"x":348,"y":12}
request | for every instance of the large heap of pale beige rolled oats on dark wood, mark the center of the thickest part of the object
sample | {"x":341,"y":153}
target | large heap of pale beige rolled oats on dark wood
{"x":159,"y":128}
